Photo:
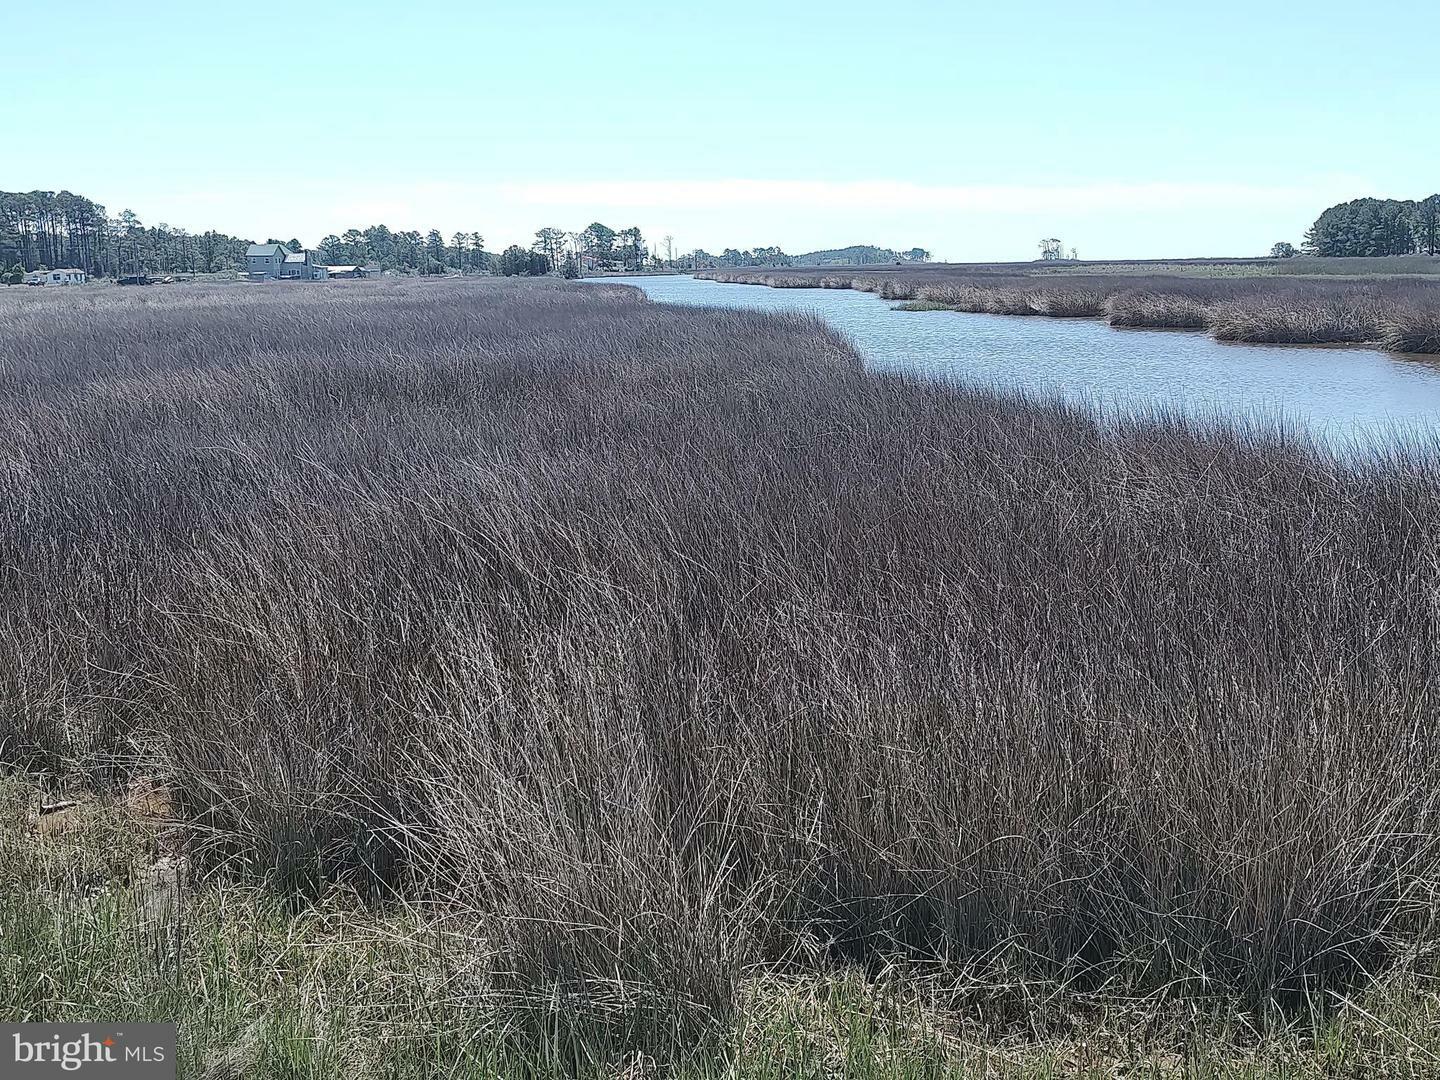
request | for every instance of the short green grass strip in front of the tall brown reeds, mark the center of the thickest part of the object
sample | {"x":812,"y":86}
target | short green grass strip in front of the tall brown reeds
{"x":104,"y":919}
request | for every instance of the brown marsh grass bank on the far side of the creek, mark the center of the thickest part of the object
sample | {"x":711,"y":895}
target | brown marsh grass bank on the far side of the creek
{"x":1396,"y":313}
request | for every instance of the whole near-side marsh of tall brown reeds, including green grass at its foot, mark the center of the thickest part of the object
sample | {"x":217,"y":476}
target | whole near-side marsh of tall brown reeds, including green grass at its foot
{"x":614,"y":683}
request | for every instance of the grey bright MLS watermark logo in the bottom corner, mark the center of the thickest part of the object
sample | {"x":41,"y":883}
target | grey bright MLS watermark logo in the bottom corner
{"x":126,"y":1052}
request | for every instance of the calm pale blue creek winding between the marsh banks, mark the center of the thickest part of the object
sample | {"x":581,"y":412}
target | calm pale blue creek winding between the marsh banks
{"x":1344,"y":397}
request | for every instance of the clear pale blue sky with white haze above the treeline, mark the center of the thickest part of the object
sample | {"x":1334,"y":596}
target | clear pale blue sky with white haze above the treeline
{"x":1125,"y":129}
